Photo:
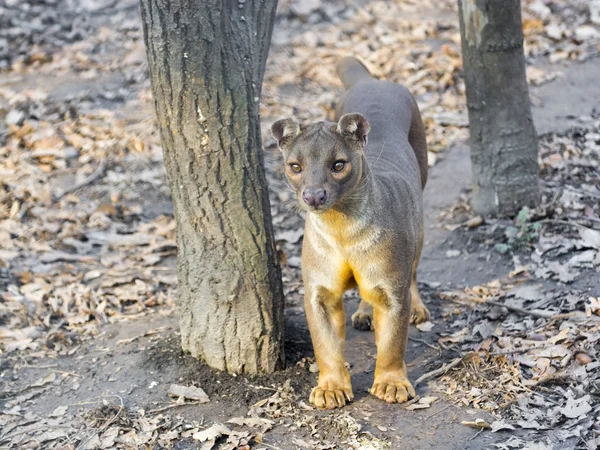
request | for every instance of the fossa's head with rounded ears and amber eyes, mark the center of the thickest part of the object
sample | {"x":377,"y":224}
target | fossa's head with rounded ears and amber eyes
{"x":324,"y":161}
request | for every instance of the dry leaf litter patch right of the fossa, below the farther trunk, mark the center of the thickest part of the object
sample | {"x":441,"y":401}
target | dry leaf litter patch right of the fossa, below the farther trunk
{"x":531,"y":359}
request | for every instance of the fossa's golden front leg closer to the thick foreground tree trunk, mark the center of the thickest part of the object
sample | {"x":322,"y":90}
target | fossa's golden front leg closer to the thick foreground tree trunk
{"x":327,"y":325}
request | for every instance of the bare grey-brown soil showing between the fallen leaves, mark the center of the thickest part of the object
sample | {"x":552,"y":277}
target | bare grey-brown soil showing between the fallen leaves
{"x":106,"y":366}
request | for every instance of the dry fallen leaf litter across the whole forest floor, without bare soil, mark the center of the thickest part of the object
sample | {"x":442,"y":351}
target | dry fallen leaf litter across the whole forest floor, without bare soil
{"x":75,"y":259}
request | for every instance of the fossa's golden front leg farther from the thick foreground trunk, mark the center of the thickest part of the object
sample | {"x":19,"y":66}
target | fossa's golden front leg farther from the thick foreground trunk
{"x":391,"y":317}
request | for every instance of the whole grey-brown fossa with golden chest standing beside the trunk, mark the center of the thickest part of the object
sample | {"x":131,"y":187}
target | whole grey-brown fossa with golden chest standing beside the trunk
{"x":368,"y":230}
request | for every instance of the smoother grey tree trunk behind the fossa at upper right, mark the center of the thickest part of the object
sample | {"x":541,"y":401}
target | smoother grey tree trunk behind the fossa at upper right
{"x":504,"y":147}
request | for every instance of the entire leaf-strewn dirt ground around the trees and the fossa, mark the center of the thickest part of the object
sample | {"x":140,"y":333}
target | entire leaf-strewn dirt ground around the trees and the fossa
{"x":88,"y":320}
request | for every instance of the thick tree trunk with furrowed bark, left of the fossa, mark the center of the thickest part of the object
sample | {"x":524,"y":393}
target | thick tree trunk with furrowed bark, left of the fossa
{"x":206,"y":60}
